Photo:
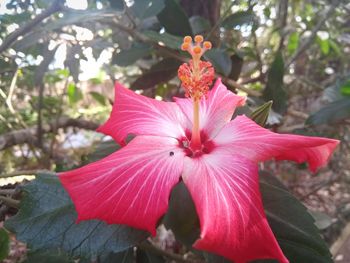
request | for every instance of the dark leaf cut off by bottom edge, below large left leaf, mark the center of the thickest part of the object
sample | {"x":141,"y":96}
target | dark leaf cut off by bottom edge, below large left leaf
{"x":47,"y":256}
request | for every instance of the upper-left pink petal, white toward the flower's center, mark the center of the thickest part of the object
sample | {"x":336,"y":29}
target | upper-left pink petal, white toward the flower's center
{"x":140,"y":115}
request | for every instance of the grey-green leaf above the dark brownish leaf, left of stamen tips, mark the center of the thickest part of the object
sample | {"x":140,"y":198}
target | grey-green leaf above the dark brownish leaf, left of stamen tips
{"x":130,"y":56}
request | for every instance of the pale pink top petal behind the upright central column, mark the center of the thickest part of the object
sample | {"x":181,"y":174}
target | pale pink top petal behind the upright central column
{"x":216,"y":109}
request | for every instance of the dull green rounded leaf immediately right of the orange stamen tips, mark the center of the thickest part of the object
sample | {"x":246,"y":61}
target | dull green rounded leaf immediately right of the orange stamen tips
{"x":220,"y":60}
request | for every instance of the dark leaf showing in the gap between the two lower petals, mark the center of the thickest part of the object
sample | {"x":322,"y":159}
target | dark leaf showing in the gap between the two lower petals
{"x":181,"y":217}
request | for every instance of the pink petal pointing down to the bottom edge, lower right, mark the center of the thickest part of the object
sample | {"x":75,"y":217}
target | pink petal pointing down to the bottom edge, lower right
{"x":225,"y":190}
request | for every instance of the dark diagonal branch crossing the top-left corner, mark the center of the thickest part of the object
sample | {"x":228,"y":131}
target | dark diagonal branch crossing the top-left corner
{"x":26,"y":28}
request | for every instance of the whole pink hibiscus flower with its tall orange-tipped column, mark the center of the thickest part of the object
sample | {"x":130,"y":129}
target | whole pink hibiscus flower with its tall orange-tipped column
{"x":193,"y":139}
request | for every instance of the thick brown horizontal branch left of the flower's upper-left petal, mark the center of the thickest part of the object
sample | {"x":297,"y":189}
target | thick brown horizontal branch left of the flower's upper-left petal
{"x":29,"y":135}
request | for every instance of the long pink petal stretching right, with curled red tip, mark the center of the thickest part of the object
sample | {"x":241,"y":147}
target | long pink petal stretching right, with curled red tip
{"x":245,"y":137}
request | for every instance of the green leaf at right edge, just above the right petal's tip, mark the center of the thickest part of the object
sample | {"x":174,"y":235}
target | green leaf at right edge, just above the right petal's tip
{"x":332,"y":113}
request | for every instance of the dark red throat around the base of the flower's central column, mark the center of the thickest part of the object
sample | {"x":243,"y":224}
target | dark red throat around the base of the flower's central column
{"x":206,"y":145}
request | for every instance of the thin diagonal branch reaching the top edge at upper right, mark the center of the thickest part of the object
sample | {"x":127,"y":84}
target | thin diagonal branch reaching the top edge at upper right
{"x":305,"y":45}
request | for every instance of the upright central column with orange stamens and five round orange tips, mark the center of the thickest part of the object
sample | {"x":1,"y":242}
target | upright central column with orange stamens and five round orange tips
{"x":196,"y":78}
